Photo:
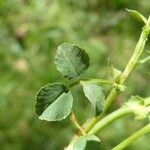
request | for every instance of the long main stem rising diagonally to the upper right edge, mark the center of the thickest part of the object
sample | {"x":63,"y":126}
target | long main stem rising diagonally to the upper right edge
{"x":129,"y":67}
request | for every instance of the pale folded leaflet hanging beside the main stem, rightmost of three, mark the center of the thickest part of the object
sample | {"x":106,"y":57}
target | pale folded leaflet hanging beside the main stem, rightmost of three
{"x":94,"y":93}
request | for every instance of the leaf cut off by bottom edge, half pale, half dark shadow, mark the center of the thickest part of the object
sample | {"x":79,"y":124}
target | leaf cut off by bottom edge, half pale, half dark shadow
{"x":87,"y":142}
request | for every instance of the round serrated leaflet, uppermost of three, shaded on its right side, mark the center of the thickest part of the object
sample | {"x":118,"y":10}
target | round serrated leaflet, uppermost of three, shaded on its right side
{"x":71,"y":61}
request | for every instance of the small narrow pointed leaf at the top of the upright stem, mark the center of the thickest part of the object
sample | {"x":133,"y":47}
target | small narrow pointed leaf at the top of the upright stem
{"x":137,"y":15}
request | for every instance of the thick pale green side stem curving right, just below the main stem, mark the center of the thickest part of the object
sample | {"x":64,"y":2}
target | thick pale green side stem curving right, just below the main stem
{"x":110,"y":118}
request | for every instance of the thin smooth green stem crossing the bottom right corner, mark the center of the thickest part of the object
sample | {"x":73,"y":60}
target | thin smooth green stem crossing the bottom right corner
{"x":133,"y":137}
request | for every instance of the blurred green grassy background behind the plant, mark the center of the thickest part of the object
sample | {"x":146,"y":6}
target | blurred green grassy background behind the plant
{"x":30,"y":32}
